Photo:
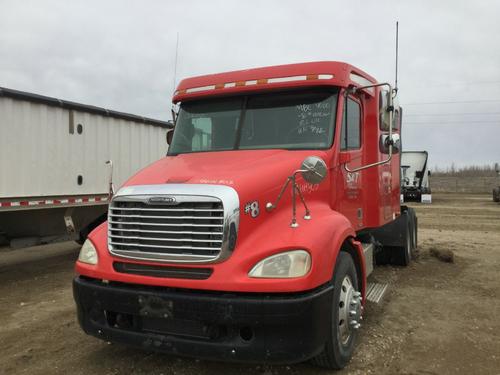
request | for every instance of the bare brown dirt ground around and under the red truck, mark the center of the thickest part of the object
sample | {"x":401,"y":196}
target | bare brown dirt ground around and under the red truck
{"x":437,"y":318}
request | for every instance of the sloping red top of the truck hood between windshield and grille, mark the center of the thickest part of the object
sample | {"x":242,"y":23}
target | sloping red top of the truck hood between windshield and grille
{"x":250,"y":173}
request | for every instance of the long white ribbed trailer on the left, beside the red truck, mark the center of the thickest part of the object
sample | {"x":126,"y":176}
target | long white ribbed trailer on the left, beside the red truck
{"x":54,"y":180}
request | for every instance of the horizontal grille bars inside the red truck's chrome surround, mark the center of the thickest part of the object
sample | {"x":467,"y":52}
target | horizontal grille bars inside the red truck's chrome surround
{"x":192,"y":230}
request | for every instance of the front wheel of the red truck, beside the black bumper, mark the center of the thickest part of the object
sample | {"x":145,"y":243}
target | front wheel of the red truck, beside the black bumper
{"x":345,"y":315}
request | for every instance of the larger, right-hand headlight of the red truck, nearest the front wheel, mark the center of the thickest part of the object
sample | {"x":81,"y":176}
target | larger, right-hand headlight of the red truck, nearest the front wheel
{"x":295,"y":263}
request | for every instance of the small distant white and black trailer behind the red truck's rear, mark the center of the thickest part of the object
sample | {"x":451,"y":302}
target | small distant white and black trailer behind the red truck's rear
{"x":415,"y":177}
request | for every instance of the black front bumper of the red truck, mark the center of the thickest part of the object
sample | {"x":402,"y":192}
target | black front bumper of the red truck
{"x":281,"y":328}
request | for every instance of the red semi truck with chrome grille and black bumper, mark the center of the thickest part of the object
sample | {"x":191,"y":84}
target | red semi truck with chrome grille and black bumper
{"x":252,"y":240}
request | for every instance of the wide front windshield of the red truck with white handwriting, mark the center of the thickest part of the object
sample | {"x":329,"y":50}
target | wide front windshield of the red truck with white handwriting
{"x":291,"y":120}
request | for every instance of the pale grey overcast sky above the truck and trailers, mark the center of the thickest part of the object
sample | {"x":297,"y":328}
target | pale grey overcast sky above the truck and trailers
{"x":121,"y":55}
